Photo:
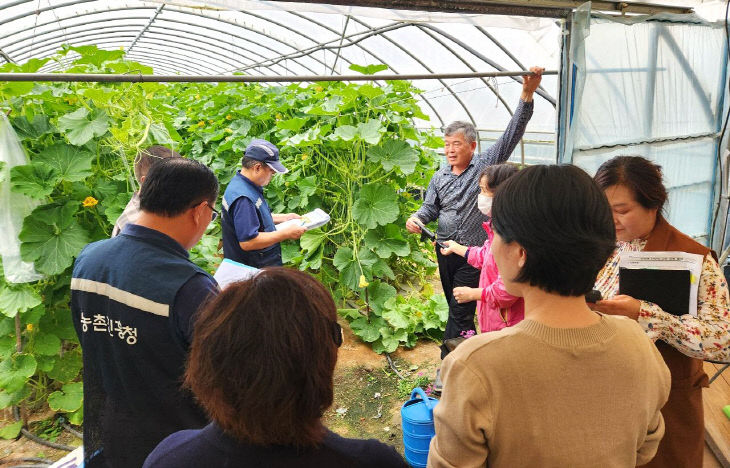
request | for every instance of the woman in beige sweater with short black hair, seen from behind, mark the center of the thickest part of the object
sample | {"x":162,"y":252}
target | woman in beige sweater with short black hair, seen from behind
{"x":567,"y":386}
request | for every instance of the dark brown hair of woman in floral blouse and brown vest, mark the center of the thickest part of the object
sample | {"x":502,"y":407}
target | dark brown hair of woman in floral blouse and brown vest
{"x":641,"y":176}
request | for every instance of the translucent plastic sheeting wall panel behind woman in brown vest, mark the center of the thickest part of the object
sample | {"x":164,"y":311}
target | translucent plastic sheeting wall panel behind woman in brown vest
{"x":655,"y":88}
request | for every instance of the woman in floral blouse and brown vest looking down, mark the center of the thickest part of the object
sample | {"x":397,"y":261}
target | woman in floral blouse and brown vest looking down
{"x":634,"y":188}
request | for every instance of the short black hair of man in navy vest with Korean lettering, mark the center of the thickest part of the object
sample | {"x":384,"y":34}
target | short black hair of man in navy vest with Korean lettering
{"x":174,"y":185}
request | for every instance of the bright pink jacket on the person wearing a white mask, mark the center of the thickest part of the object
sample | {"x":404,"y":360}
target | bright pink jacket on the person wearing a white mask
{"x":498,"y":308}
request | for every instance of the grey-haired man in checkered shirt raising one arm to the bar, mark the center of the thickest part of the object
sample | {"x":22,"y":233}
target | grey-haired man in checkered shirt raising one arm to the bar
{"x":451,"y":198}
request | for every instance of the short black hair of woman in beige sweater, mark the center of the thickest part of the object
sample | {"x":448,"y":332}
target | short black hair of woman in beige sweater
{"x":563,"y":221}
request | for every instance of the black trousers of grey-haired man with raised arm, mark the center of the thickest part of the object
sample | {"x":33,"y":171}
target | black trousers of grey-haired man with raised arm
{"x":455,"y":272}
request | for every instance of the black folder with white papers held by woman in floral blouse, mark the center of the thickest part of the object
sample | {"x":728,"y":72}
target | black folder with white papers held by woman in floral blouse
{"x":668,"y":279}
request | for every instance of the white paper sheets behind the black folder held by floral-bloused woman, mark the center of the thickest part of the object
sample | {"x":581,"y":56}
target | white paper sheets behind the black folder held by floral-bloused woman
{"x":668,"y":261}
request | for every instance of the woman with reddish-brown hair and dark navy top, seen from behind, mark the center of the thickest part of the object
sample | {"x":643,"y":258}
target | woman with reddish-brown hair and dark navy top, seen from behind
{"x":261,"y":363}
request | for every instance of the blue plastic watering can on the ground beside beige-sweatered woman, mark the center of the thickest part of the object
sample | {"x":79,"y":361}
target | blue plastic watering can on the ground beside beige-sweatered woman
{"x":418,"y":430}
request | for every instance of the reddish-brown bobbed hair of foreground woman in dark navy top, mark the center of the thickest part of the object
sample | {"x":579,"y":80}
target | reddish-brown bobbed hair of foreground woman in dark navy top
{"x":263,"y":356}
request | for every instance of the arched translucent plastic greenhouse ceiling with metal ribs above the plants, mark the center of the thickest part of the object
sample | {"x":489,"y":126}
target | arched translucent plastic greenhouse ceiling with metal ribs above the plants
{"x":313,"y":38}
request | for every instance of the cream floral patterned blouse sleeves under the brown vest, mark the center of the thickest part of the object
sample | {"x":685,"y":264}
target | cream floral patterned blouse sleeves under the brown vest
{"x":706,"y":336}
